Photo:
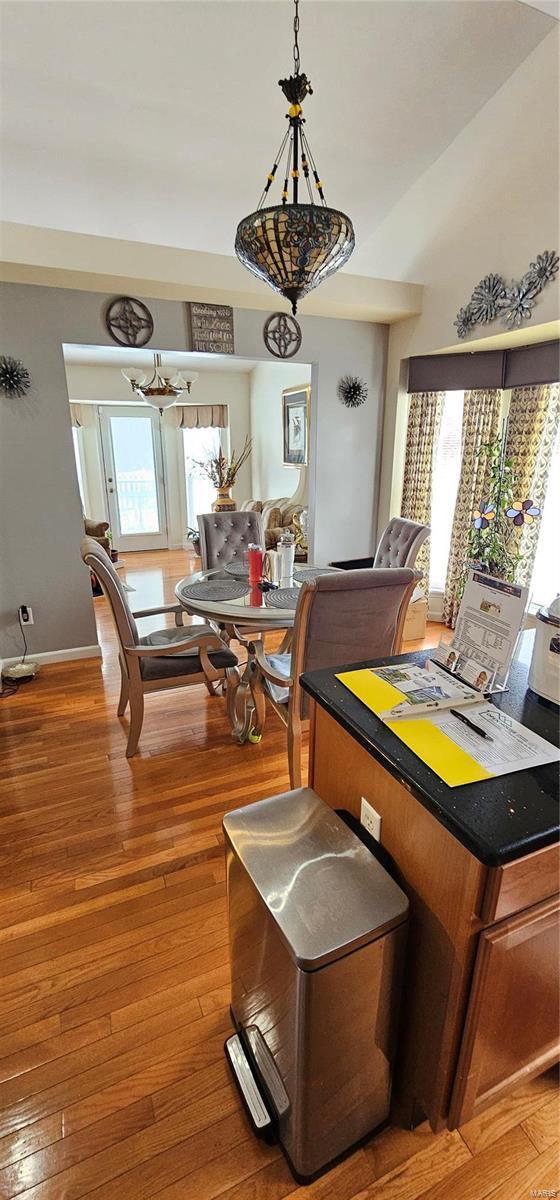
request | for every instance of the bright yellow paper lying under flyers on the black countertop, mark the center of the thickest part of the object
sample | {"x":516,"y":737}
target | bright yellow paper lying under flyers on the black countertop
{"x":435,"y":748}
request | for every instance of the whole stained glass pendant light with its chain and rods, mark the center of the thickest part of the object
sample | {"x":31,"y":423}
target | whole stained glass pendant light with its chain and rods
{"x":294,"y":247}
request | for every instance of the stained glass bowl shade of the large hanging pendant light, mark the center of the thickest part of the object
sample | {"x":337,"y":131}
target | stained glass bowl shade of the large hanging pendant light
{"x":294,"y":248}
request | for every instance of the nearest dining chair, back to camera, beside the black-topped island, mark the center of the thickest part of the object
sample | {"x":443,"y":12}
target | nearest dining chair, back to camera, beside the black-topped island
{"x":341,"y":619}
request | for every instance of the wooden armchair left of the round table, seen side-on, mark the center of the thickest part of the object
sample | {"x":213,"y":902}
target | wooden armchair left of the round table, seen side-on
{"x":167,"y":658}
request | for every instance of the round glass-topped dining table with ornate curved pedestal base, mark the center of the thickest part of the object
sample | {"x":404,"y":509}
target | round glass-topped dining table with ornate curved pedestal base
{"x":244,"y":613}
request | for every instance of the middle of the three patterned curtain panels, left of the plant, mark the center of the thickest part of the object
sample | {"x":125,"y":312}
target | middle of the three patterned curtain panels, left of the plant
{"x":481,"y":423}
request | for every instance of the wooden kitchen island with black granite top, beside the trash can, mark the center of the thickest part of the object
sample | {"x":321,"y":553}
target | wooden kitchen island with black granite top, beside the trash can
{"x":480,"y":866}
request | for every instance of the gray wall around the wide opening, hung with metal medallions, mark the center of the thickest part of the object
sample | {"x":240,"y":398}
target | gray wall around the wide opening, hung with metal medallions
{"x":41,"y":514}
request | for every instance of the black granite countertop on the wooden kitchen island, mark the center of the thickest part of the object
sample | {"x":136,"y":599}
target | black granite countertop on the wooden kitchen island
{"x":498,"y":820}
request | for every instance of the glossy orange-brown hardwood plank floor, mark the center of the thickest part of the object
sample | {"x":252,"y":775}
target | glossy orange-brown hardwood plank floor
{"x":115,"y":963}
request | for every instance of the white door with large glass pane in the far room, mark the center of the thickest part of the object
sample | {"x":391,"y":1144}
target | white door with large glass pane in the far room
{"x":134,"y":467}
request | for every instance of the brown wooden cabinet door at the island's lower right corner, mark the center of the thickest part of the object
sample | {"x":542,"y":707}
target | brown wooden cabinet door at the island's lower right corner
{"x":513,"y":1029}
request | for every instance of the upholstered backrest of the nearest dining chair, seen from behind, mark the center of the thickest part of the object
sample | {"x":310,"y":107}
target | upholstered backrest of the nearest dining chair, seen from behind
{"x":350,"y":616}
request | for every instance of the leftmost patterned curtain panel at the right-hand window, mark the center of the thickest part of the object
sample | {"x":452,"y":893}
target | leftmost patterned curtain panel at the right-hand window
{"x":425,"y":416}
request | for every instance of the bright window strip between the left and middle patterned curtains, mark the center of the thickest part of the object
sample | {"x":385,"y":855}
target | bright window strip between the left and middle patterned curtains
{"x":445,"y":482}
